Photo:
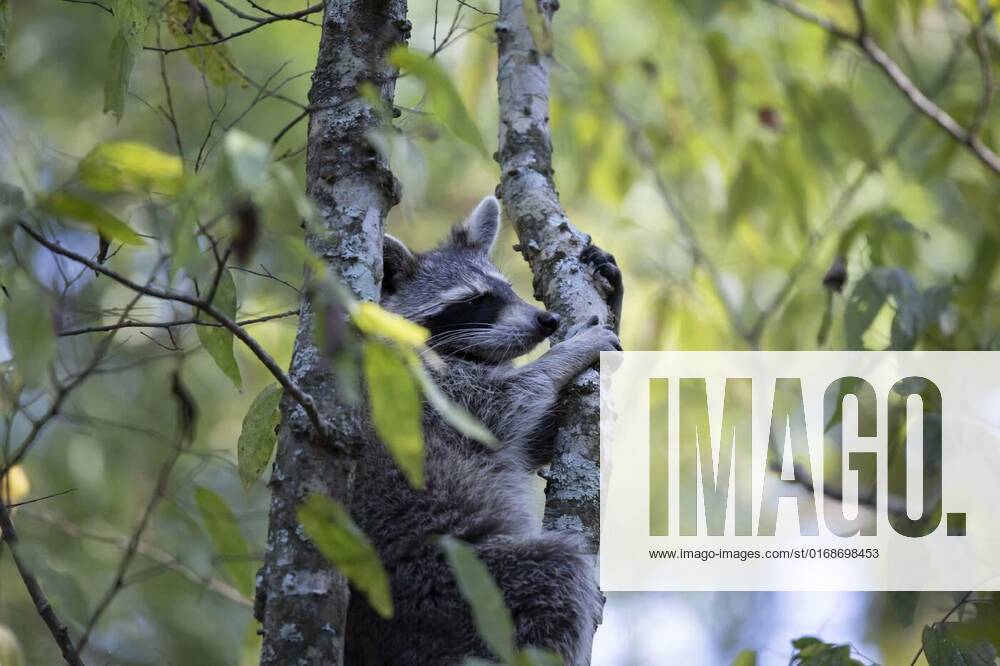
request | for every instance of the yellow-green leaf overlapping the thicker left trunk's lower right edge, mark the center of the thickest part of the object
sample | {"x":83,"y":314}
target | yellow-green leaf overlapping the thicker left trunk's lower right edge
{"x":341,"y":541}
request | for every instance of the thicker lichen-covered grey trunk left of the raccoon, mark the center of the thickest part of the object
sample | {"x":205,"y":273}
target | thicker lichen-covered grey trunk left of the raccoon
{"x":302,"y":599}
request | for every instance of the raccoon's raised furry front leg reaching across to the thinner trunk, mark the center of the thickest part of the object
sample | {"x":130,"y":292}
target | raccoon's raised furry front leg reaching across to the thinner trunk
{"x":533,"y":390}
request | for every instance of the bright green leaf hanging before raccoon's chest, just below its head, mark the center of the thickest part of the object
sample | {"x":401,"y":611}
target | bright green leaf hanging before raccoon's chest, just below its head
{"x":396,"y":407}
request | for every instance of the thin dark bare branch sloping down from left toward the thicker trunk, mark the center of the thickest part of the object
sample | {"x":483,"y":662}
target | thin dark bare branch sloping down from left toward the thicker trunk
{"x":305,"y":400}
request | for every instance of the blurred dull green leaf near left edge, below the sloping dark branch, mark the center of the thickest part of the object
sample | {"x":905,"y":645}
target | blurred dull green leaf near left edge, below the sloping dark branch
{"x":30,"y":331}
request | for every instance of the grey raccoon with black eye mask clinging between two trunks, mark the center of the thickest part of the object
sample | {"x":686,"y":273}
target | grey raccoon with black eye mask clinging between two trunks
{"x":475,"y":493}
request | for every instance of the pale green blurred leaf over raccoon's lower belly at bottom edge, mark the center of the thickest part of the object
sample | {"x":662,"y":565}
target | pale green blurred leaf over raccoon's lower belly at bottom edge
{"x":489,"y":612}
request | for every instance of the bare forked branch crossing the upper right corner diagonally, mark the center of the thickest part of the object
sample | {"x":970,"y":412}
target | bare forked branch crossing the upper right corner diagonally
{"x":895,"y":74}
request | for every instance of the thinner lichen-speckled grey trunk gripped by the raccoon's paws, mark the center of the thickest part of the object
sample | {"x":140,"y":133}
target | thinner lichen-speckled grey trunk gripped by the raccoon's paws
{"x":552,"y":247}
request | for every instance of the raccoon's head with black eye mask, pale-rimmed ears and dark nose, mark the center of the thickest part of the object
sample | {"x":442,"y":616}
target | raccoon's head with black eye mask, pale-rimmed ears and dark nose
{"x":464,"y":300}
